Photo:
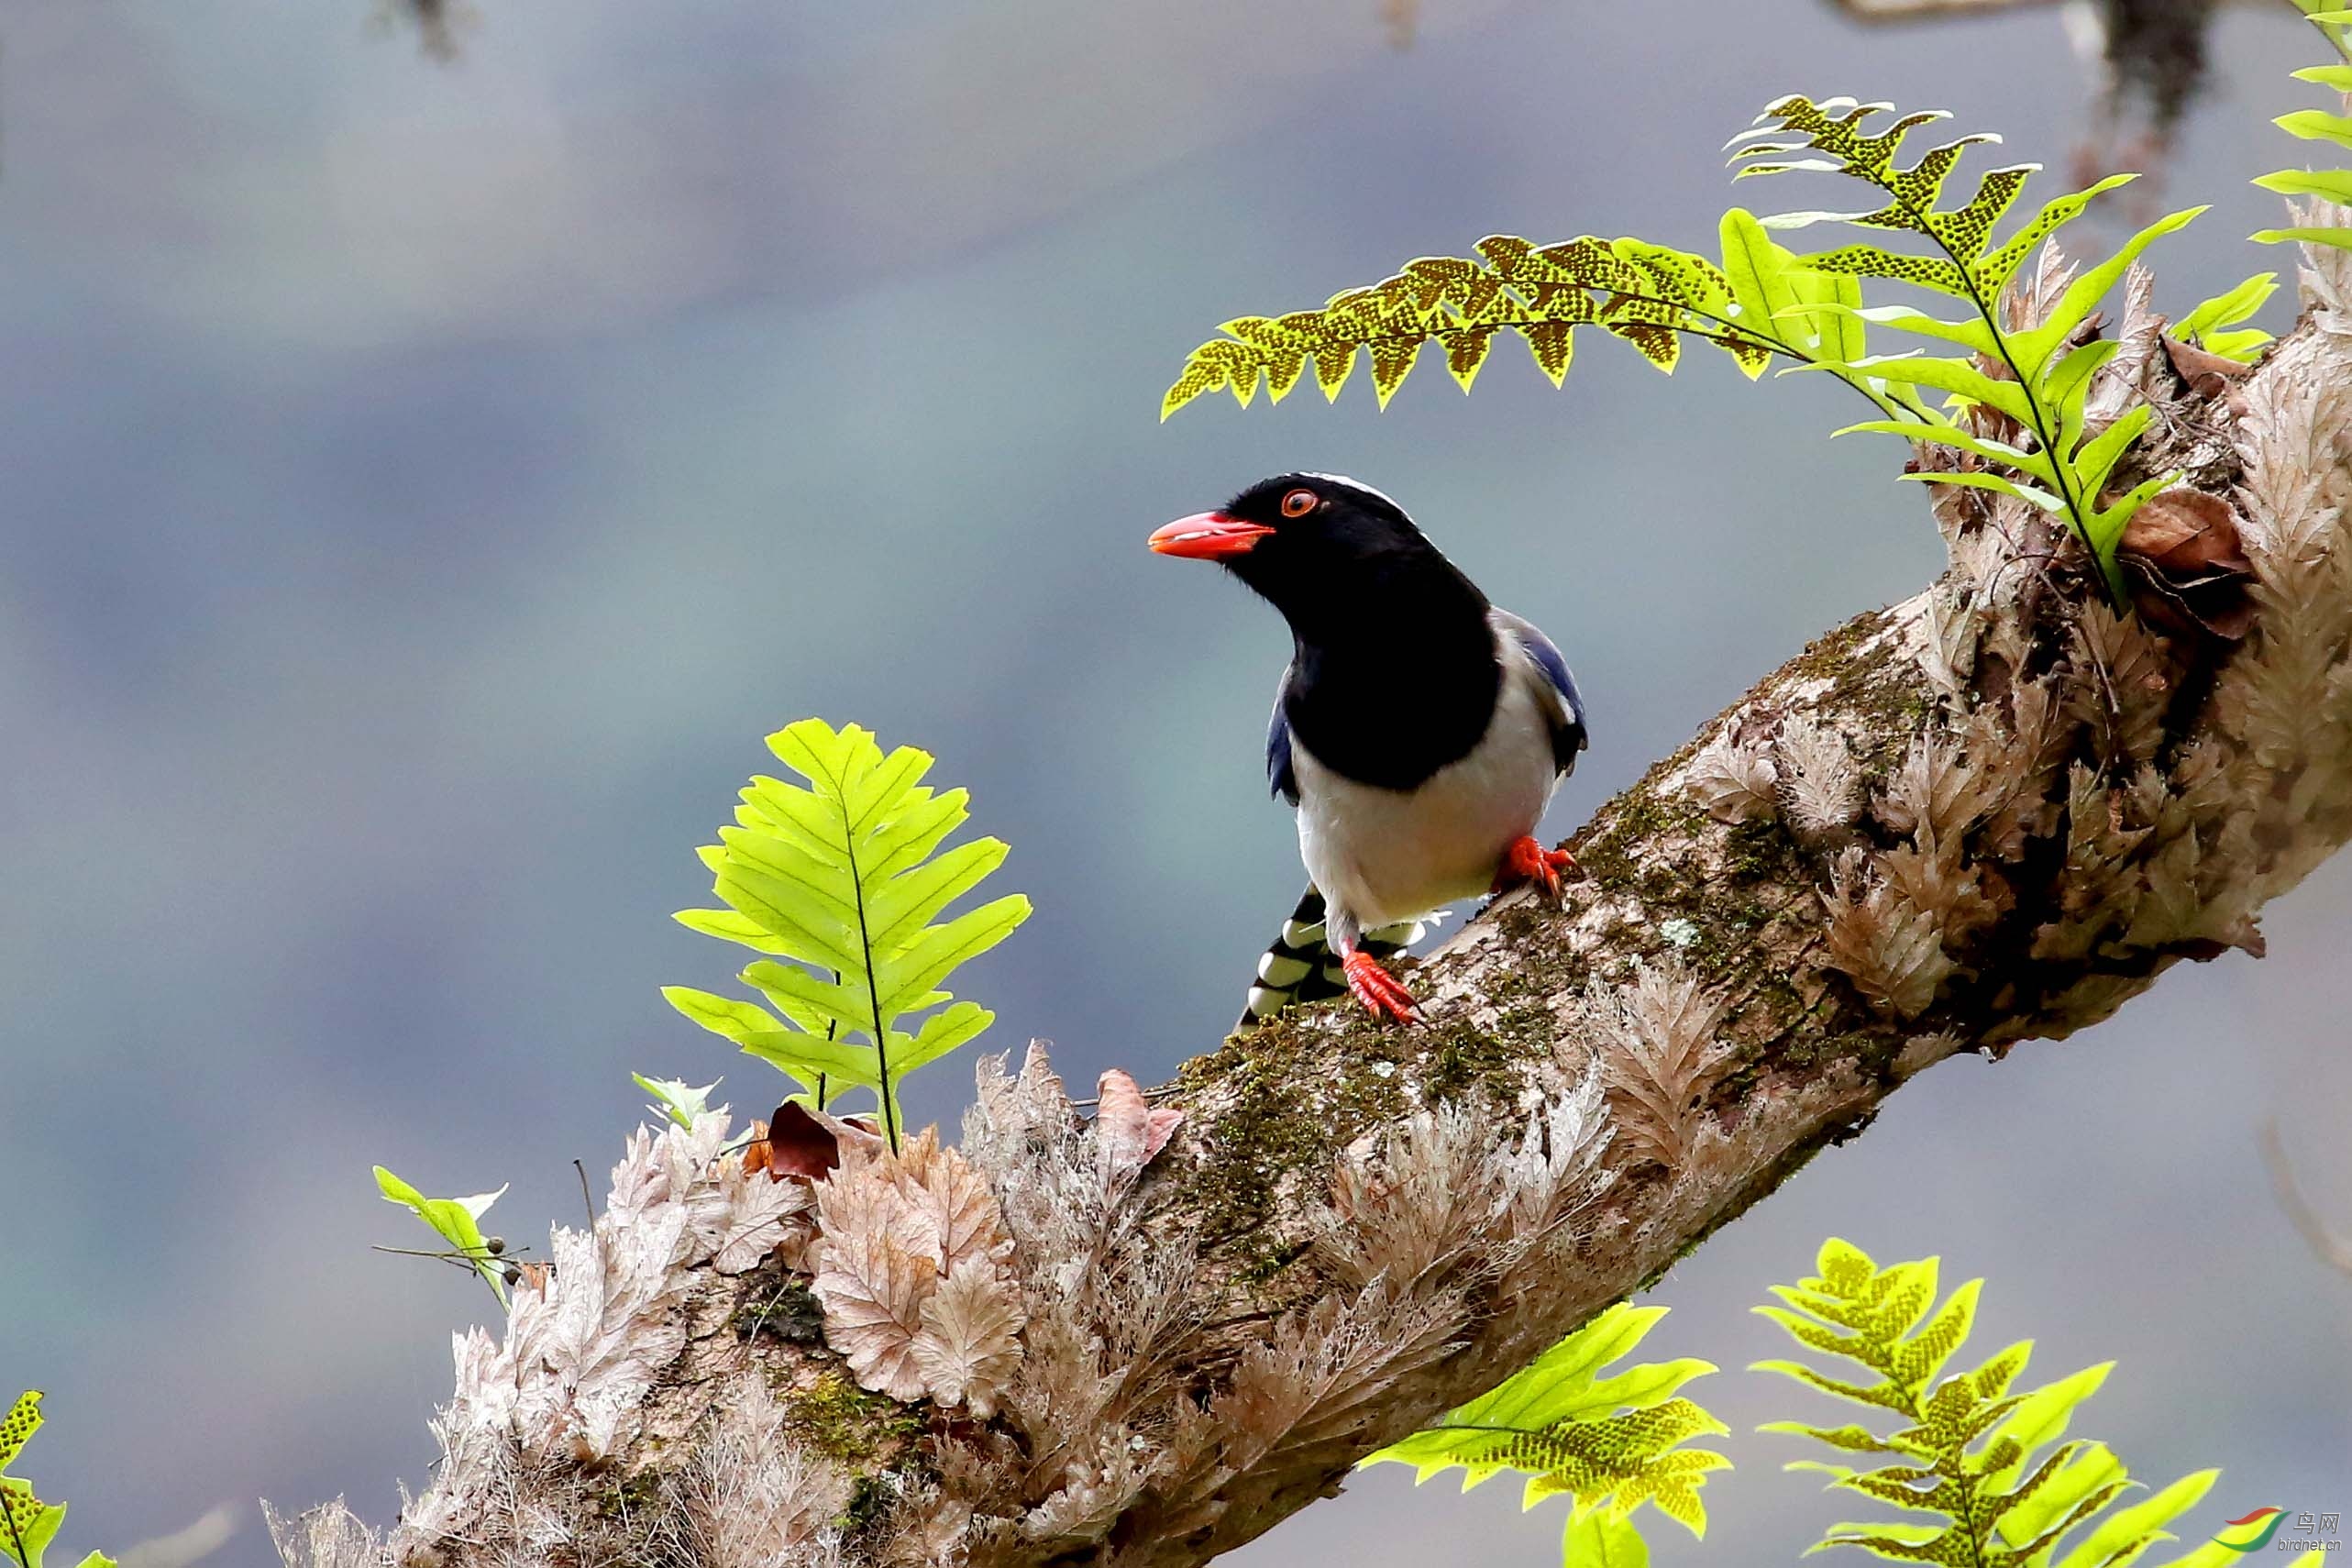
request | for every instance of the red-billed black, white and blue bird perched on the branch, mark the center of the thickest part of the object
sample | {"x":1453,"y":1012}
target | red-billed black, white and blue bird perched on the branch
{"x":1419,"y":730}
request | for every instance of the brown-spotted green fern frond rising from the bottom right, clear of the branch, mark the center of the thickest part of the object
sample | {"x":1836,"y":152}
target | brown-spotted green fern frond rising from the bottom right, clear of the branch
{"x":1965,"y":1449}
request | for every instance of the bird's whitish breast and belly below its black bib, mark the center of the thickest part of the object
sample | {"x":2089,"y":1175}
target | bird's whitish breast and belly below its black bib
{"x":1391,"y":855}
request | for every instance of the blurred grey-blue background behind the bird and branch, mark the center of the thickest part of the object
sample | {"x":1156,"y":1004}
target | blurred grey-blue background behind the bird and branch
{"x":425,"y":485}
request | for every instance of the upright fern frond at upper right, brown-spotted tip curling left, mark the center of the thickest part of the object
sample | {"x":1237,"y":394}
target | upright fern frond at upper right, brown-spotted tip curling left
{"x":2038,"y":377}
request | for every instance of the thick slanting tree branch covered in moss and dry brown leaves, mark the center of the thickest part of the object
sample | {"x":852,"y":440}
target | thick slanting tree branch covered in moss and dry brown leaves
{"x":1989,"y":815}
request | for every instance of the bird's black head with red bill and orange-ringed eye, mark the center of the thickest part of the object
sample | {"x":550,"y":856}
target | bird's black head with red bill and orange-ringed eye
{"x":1318,"y":547}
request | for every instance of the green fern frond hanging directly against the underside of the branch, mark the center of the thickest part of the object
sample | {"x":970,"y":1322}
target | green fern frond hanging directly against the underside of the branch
{"x":1610,"y":1445}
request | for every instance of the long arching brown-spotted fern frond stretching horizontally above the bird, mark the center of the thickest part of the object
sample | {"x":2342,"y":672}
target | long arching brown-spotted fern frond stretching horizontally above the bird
{"x":1648,"y":295}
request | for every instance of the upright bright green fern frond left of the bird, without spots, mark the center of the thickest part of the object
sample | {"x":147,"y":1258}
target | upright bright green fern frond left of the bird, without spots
{"x":846,"y":880}
